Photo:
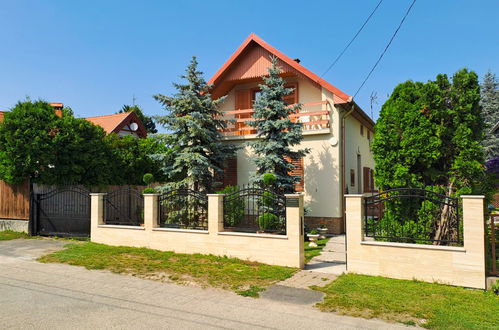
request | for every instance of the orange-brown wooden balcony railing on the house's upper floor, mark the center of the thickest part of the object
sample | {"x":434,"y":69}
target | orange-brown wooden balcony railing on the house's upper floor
{"x":315,"y":117}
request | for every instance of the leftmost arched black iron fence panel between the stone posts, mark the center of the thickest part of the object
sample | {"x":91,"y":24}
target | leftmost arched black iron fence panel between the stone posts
{"x":124,"y":207}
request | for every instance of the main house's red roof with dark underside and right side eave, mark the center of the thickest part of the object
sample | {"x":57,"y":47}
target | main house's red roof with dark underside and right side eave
{"x":340,"y":97}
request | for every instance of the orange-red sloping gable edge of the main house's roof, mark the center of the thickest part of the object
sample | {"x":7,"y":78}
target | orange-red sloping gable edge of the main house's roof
{"x":341,"y":97}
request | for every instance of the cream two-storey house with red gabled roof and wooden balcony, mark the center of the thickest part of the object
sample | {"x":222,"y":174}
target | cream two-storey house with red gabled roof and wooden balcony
{"x":335,"y":129}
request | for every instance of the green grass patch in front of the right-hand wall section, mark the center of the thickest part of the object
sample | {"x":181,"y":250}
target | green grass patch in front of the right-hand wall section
{"x":433,"y":306}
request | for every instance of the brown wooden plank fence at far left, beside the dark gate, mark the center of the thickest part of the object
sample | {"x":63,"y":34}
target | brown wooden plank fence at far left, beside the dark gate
{"x":14,"y":201}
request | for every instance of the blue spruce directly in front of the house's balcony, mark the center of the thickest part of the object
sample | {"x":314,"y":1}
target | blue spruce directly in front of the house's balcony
{"x":277,"y":133}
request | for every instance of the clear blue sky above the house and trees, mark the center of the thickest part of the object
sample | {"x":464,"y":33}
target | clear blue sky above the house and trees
{"x":96,"y":56}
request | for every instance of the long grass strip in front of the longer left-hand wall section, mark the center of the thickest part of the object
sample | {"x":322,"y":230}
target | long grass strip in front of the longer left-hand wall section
{"x":243,"y":277}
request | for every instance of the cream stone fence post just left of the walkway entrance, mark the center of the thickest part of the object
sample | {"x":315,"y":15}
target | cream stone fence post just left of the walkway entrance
{"x":295,"y":227}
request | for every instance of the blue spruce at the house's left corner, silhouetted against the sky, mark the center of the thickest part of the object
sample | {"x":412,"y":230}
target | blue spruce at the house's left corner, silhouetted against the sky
{"x":194,"y":121}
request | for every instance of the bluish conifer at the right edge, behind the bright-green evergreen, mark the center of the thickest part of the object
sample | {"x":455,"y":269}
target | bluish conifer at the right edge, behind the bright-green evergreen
{"x":490,"y":112}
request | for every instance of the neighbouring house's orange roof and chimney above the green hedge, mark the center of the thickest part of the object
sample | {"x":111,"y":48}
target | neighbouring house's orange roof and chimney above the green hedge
{"x":127,"y":123}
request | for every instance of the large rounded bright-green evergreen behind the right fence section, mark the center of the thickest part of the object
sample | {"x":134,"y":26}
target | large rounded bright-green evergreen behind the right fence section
{"x":429,"y":136}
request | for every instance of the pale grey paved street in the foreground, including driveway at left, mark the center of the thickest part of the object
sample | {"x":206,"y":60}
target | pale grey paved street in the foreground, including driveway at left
{"x":54,"y":296}
